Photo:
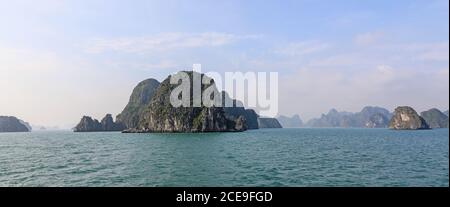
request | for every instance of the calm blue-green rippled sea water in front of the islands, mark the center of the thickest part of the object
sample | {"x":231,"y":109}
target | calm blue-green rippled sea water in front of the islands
{"x":274,"y":157}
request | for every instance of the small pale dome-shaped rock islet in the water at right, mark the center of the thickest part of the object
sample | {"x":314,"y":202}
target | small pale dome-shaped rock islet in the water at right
{"x":406,"y":118}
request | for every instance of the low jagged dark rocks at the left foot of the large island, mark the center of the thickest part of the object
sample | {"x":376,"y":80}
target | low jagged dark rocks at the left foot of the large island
{"x":87,"y":124}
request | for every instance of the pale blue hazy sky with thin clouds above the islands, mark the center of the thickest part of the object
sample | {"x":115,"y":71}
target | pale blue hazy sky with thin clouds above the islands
{"x":62,"y":59}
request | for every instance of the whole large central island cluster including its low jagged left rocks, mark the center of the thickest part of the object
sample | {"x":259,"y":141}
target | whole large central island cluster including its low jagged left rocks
{"x":149,"y":110}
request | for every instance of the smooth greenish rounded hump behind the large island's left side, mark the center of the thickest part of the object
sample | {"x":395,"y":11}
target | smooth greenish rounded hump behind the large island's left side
{"x":139,"y":100}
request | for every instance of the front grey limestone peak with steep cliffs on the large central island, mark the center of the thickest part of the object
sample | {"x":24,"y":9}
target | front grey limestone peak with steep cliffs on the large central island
{"x":161,"y":116}
